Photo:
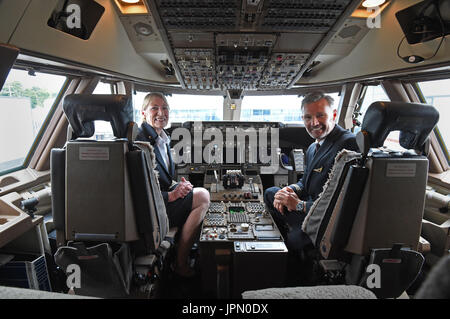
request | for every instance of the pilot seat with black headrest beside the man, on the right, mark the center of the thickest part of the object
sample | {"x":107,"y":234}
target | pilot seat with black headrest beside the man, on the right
{"x":366,"y":224}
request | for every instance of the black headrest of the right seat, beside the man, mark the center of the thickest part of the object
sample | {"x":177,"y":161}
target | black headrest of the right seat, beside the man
{"x":414,"y":121}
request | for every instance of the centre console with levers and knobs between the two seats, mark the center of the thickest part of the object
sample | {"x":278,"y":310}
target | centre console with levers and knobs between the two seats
{"x":238,"y":235}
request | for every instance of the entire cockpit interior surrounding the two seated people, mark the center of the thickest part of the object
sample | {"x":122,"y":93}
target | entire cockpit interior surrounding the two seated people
{"x":83,"y":212}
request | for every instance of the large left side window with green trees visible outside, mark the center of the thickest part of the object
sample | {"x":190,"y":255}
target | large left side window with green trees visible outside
{"x":25,"y":101}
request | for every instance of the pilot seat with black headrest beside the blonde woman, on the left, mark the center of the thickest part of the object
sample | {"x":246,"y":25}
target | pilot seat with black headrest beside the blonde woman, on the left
{"x":110,"y":219}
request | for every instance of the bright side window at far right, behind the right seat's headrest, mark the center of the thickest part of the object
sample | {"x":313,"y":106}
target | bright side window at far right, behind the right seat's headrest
{"x":437,"y":94}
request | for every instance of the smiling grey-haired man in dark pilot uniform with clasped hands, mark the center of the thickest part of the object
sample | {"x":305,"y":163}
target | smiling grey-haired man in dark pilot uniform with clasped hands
{"x":290,"y":205}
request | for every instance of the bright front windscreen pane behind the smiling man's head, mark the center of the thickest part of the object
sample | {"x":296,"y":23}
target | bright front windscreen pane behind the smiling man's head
{"x":276,"y":108}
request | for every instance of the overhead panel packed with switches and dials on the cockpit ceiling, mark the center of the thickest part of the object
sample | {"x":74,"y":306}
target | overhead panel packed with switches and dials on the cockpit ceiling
{"x":245,"y":44}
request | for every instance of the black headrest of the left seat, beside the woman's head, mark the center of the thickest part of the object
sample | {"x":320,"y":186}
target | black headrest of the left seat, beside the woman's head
{"x":82,"y":110}
